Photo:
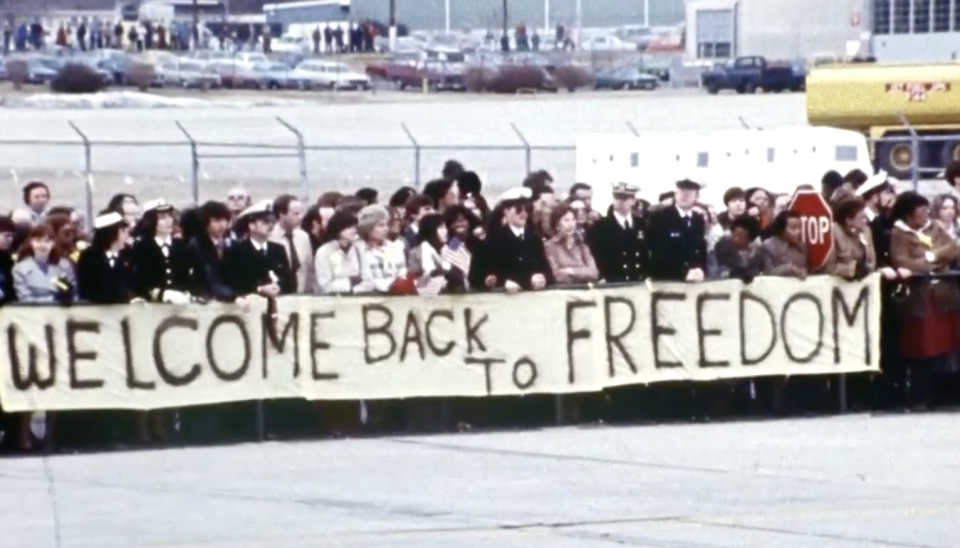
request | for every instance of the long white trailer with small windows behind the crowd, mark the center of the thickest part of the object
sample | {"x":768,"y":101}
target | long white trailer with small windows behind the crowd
{"x":778,"y":160}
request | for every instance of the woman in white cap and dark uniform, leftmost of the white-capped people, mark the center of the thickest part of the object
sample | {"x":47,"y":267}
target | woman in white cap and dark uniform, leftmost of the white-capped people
{"x":104,"y":270}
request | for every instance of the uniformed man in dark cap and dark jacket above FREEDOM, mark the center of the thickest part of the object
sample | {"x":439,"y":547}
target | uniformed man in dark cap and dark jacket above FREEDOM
{"x":677,"y":238}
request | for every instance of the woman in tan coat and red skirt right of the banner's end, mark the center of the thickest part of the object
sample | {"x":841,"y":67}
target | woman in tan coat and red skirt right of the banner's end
{"x":930,"y":314}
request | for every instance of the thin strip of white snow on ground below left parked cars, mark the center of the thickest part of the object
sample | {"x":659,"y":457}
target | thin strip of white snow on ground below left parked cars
{"x":133,"y":100}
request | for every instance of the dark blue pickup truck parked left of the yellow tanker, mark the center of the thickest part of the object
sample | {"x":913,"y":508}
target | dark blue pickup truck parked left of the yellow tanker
{"x":748,"y":74}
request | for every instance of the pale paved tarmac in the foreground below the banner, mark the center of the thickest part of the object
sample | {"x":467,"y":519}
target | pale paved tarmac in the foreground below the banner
{"x":845,"y":482}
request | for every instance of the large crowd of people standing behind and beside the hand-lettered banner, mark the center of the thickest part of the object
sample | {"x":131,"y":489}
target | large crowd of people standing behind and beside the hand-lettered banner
{"x":448,"y":238}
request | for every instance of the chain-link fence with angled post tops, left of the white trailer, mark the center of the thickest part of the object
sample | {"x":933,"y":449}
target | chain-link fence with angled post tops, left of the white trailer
{"x":189,"y":165}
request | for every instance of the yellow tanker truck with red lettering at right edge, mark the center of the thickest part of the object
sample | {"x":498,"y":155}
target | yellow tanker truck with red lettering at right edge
{"x":875,"y":99}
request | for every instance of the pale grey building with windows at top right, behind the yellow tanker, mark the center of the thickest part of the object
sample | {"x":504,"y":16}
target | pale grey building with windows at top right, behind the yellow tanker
{"x":890,"y":30}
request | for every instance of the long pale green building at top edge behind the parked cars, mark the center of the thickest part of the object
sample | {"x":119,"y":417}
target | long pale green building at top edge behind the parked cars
{"x":482,"y":14}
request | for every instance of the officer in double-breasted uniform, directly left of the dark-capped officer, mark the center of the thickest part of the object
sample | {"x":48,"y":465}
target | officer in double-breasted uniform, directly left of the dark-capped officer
{"x":618,"y":240}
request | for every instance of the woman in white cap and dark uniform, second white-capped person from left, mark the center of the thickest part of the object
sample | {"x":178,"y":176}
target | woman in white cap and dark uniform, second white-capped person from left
{"x":161,"y":263}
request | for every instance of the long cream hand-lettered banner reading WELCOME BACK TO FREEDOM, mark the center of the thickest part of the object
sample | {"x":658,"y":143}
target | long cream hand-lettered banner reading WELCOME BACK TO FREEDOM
{"x":324,"y":348}
